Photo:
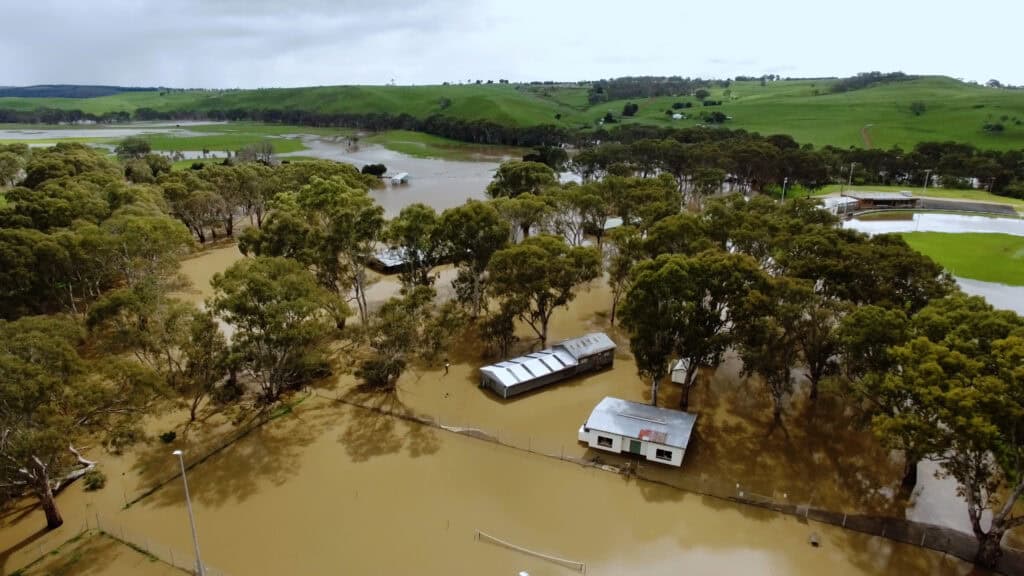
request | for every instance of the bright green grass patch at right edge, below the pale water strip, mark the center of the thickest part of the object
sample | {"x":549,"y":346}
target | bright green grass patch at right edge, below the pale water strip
{"x":990,"y":258}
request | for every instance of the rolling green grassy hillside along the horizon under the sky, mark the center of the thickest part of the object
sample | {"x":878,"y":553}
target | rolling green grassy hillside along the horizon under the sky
{"x":805,"y":109}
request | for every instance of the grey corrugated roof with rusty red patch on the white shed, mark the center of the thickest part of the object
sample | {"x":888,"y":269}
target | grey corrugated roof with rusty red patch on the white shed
{"x":632,"y":420}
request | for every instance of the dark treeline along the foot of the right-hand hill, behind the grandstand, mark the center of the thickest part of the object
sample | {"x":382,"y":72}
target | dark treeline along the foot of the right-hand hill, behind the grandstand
{"x":757,"y":162}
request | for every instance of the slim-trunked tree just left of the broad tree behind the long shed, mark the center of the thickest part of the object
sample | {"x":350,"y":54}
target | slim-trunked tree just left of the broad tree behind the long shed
{"x":470,"y":236}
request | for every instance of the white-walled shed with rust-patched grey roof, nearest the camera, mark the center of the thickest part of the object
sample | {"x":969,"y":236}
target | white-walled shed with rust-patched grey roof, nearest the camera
{"x":657,"y":434}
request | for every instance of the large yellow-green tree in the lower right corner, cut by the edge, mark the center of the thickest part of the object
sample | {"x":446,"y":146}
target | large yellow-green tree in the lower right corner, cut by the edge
{"x":969,"y":414}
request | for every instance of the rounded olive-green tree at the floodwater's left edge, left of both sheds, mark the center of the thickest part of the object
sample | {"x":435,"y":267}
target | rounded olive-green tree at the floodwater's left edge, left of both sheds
{"x":282,"y":317}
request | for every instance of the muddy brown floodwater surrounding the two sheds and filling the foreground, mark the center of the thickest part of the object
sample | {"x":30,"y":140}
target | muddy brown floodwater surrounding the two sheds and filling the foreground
{"x":336,"y":489}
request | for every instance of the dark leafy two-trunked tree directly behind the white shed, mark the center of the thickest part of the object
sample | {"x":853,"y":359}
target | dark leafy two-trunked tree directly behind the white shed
{"x":684,"y":308}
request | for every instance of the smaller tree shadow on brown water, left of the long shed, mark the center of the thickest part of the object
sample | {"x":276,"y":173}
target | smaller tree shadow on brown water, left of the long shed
{"x":380,"y":424}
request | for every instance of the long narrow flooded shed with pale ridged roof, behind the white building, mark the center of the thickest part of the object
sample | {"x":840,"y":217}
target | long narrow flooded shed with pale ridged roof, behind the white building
{"x":565,"y":360}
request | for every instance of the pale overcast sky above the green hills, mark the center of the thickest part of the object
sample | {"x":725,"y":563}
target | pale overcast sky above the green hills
{"x":253,"y":44}
